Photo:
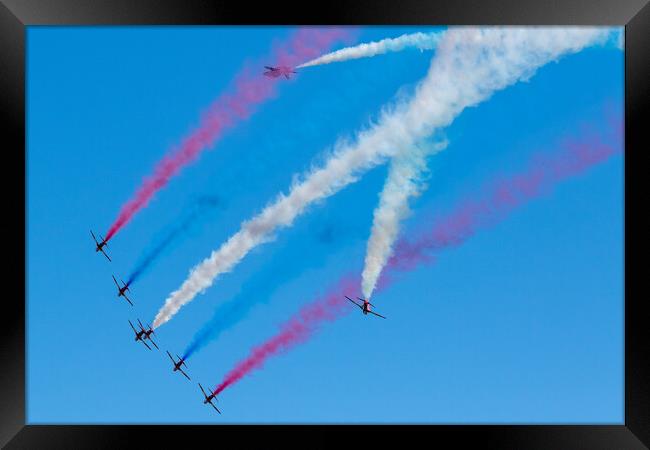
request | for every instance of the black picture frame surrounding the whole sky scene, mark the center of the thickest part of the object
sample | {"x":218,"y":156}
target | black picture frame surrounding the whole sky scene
{"x":15,"y":15}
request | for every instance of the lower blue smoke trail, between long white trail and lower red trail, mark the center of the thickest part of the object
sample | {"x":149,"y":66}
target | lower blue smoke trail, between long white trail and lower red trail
{"x":287,"y":265}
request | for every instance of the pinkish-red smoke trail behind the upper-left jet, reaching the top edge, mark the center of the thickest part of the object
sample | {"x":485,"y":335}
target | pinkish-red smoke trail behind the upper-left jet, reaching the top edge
{"x":250,"y":88}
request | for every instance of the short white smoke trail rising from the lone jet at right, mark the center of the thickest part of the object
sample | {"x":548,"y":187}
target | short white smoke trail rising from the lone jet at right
{"x":405,"y":180}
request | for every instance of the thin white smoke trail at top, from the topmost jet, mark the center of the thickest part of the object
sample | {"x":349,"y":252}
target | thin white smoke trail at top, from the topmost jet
{"x":423,"y":41}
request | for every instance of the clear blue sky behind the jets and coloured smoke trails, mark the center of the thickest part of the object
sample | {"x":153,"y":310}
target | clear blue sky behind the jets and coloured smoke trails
{"x":522,"y":324}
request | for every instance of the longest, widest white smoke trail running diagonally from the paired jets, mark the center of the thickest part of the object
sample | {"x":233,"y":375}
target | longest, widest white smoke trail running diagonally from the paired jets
{"x":470,"y":65}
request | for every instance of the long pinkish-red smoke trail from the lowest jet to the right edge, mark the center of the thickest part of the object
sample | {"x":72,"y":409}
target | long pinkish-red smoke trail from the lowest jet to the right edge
{"x":504,"y":196}
